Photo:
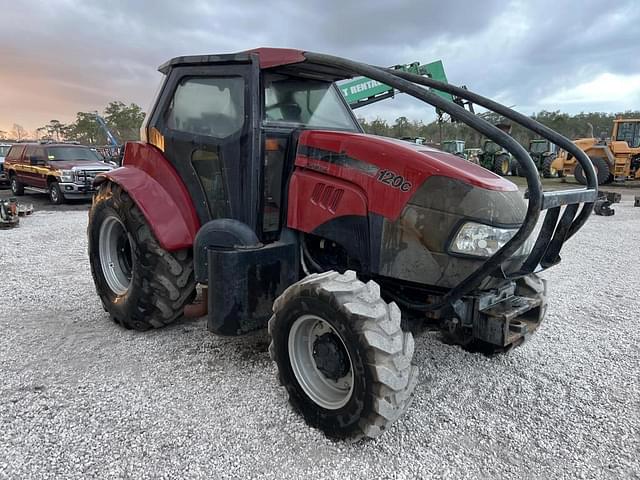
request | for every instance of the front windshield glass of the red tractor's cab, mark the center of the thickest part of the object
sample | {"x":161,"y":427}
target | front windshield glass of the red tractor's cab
{"x":310,"y":103}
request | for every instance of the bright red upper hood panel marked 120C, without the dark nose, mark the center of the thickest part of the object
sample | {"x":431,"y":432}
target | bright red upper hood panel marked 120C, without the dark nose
{"x":389,"y":171}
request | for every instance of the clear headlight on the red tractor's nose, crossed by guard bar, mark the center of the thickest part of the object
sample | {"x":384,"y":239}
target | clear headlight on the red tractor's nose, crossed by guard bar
{"x":482,"y":240}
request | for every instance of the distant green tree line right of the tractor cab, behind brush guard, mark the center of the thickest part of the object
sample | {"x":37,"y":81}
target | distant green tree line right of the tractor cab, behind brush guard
{"x":596,"y":124}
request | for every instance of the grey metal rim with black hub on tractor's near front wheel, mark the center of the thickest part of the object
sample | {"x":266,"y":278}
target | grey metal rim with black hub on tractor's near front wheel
{"x":326,"y":379}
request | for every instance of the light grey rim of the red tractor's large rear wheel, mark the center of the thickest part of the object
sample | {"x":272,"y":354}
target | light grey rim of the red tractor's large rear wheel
{"x":114,"y":248}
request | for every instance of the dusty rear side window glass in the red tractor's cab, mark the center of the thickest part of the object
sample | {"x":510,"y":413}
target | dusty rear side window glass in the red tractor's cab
{"x":210,"y":106}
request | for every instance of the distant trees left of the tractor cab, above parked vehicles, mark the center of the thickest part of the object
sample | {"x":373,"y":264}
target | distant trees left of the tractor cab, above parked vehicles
{"x":123,"y":120}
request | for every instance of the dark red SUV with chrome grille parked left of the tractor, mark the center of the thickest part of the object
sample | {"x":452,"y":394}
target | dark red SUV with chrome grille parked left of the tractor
{"x":61,"y":170}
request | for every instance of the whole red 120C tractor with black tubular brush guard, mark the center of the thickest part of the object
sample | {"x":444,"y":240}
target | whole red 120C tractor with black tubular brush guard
{"x":255,"y":179}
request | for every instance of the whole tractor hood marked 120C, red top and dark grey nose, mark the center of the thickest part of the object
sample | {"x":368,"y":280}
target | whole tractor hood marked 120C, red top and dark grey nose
{"x":423,"y":196}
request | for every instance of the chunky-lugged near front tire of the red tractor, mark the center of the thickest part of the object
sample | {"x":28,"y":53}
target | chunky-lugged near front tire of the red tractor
{"x":379,"y":352}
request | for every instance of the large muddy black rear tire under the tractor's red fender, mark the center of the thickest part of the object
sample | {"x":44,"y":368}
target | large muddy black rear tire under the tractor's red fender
{"x":161,"y":283}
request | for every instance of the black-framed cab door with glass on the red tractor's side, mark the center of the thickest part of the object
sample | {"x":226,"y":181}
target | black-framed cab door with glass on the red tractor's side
{"x":206,"y":116}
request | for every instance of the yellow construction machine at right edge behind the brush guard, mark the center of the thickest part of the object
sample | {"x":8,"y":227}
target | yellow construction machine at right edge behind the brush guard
{"x":615,"y":159}
